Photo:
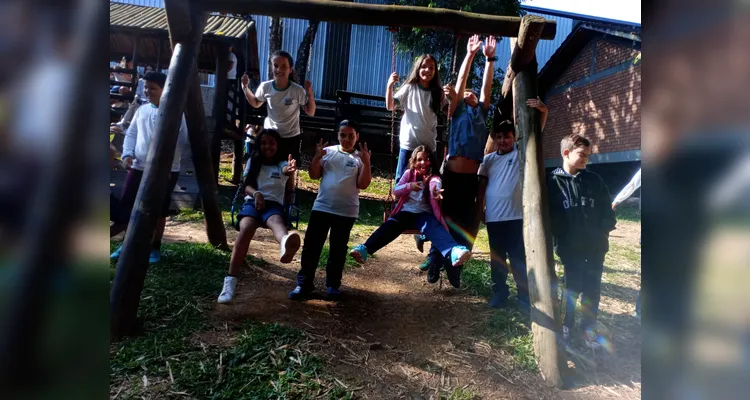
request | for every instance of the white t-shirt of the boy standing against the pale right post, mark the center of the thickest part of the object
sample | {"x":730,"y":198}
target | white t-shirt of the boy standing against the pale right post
{"x":504,"y":192}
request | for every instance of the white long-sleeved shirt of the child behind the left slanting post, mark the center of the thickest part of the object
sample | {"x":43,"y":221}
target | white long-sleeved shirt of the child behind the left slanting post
{"x":140,"y":133}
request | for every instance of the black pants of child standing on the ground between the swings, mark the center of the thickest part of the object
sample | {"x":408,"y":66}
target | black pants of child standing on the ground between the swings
{"x":315,"y":237}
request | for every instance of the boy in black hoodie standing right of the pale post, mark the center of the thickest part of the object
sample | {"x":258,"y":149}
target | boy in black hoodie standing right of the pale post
{"x":582,"y":217}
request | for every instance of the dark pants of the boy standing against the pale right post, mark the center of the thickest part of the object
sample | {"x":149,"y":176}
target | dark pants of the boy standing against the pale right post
{"x":506,"y":243}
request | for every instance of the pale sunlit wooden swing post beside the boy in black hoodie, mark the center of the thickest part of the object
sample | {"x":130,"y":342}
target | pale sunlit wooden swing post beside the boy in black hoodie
{"x":537,"y":233}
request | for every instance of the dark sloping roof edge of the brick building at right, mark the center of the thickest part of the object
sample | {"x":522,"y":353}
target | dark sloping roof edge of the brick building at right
{"x":582,"y":34}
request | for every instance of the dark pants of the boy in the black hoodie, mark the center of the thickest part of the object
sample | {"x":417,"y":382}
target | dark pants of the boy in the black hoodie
{"x":583,"y":277}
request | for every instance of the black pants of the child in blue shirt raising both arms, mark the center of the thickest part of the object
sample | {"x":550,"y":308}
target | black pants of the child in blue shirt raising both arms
{"x":459,"y":208}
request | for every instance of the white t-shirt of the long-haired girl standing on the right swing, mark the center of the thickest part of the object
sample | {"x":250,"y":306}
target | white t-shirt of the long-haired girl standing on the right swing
{"x":419,"y":122}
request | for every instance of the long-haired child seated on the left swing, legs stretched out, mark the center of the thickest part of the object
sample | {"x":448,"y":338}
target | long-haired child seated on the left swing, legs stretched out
{"x":265,"y":186}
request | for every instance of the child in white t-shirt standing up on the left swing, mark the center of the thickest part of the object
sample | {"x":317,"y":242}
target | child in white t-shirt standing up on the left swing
{"x":284,"y":98}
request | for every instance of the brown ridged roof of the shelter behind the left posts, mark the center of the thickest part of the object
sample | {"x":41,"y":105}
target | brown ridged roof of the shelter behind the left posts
{"x":141,"y":17}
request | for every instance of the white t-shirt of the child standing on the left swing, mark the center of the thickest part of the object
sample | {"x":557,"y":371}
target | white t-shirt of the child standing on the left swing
{"x":283,"y":107}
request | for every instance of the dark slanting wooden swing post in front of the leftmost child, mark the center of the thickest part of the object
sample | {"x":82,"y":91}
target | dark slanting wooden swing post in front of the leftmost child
{"x":186,"y":23}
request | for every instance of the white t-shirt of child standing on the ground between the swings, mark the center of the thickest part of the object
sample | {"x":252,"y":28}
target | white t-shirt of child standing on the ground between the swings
{"x":338,"y":193}
